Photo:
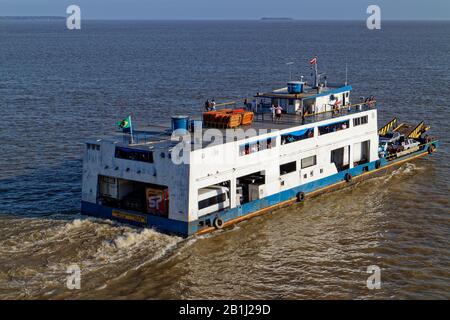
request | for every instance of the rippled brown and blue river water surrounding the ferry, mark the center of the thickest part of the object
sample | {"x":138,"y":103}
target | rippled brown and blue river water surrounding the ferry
{"x":59,"y":88}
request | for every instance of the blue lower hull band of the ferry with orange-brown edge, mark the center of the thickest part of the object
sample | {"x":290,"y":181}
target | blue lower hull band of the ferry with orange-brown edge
{"x":208,"y":223}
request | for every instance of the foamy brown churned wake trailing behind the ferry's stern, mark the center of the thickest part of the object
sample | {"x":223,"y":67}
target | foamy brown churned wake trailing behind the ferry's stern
{"x":38,"y":252}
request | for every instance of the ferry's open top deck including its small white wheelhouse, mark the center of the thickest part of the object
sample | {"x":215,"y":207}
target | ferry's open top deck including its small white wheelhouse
{"x":302,"y":104}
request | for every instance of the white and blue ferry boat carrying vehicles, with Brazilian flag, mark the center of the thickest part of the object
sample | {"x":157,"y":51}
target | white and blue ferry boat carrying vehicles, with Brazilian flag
{"x":284,"y":147}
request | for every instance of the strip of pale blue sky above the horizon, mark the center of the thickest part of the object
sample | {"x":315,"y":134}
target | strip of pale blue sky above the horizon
{"x":232,"y":9}
